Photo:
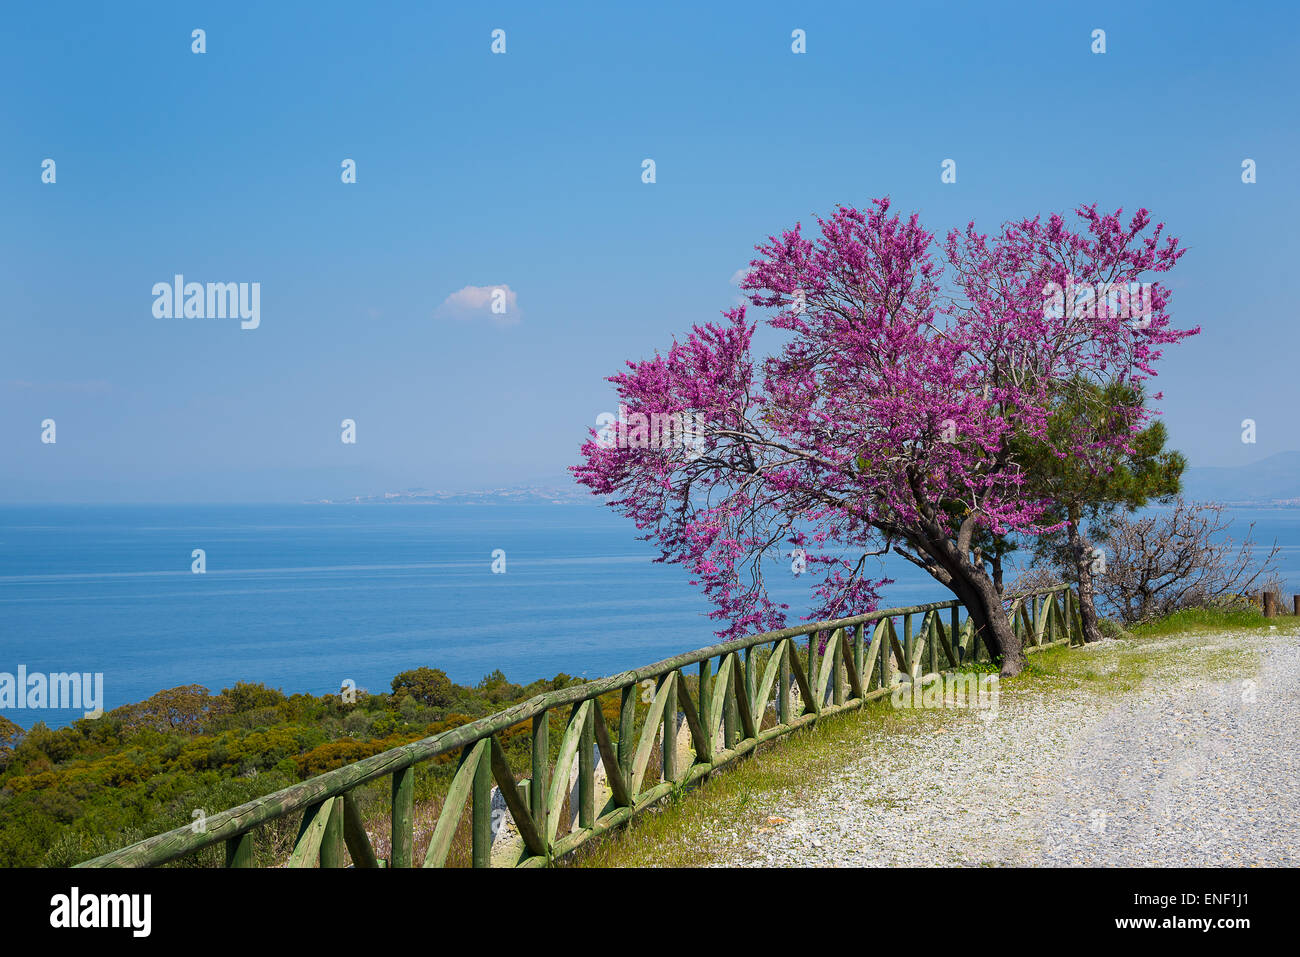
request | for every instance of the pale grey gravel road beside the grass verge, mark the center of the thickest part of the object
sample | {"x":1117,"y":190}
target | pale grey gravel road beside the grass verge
{"x":1198,"y":767}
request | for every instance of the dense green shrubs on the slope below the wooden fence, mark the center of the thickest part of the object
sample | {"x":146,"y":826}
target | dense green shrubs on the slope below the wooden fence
{"x":71,"y":794}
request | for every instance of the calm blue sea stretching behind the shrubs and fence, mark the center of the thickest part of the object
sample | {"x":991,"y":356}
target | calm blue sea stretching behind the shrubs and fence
{"x":304,"y":597}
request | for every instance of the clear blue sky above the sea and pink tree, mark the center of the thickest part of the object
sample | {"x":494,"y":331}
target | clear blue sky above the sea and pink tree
{"x":525,"y":170}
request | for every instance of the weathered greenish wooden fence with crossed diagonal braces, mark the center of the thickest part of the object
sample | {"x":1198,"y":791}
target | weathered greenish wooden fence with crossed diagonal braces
{"x":718,"y":718}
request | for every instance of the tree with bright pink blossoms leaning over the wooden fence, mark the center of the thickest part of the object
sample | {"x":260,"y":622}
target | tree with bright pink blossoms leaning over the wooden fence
{"x":891,"y":417}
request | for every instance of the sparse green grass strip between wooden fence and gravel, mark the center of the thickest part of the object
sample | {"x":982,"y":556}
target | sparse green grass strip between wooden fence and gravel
{"x":682,"y":832}
